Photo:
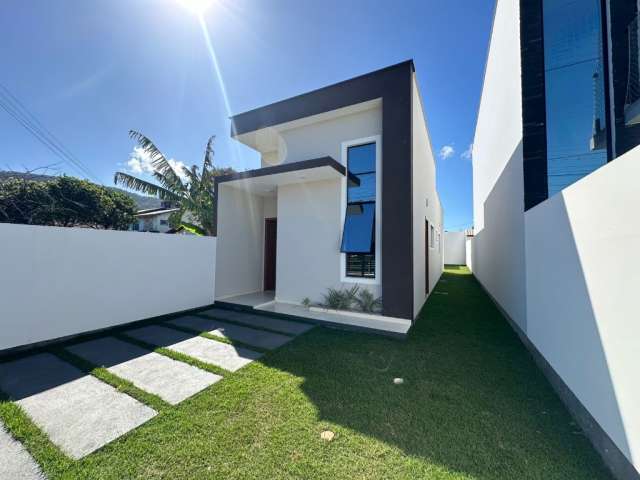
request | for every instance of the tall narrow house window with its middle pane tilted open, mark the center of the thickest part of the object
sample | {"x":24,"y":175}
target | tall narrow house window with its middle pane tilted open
{"x":358,"y":237}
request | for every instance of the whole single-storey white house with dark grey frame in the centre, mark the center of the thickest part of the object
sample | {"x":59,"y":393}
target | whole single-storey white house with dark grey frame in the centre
{"x":345,"y":196}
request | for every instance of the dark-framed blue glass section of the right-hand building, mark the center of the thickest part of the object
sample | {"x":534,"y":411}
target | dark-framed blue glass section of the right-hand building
{"x":580,"y":87}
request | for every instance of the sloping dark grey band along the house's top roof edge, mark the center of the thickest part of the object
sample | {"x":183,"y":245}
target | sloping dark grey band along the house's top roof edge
{"x":332,"y":97}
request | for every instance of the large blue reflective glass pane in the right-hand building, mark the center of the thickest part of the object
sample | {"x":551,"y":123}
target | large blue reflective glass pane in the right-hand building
{"x":575,"y":94}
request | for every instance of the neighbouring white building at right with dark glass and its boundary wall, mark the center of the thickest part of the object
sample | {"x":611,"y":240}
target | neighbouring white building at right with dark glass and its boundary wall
{"x":556,"y":165}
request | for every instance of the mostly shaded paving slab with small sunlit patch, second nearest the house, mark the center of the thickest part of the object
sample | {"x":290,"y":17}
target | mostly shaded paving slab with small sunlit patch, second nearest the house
{"x":250,"y":336}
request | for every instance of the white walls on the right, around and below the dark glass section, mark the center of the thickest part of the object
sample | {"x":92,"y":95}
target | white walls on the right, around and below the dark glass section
{"x":567,"y":270}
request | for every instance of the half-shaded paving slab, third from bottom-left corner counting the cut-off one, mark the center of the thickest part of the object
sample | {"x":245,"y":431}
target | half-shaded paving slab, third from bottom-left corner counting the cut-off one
{"x":171,"y":380}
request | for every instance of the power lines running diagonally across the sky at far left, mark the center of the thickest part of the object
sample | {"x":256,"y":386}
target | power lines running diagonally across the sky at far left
{"x":19,"y":112}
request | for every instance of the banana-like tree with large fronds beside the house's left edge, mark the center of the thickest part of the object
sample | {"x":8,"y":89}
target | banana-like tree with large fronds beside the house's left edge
{"x":193,"y":197}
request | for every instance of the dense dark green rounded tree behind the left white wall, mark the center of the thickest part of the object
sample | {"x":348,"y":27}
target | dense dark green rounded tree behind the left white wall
{"x":65,"y":201}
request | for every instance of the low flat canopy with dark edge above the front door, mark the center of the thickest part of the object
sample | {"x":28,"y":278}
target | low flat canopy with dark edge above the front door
{"x":264,"y":181}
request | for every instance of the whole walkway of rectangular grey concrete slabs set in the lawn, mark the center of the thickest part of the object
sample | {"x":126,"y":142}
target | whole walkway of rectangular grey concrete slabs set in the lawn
{"x":80,"y":413}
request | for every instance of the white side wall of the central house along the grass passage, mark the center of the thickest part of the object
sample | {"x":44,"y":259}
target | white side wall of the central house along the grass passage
{"x":426,"y":205}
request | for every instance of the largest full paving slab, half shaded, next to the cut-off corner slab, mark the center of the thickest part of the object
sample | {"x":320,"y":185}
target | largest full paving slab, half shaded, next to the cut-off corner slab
{"x":78,"y":412}
